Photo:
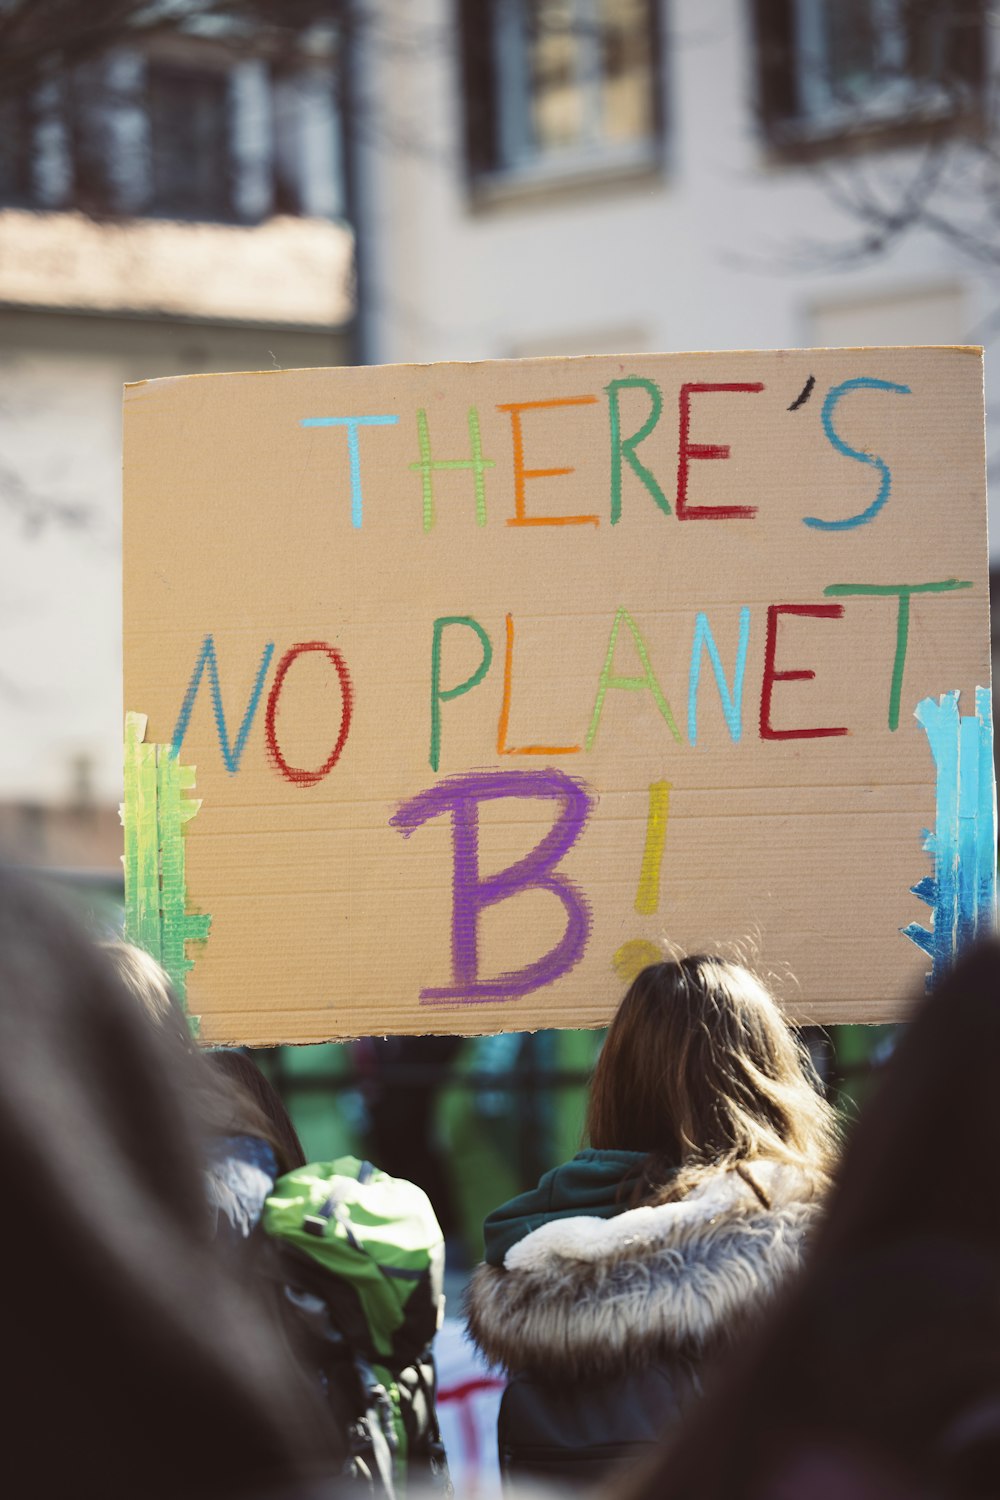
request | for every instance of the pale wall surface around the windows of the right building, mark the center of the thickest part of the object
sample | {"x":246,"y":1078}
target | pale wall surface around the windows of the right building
{"x":707,"y":253}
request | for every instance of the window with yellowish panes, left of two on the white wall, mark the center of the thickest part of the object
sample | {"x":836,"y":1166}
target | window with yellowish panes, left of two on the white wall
{"x":560,"y":86}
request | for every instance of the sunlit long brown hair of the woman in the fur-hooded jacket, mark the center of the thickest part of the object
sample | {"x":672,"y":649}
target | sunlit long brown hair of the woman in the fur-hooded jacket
{"x":701,"y":1070}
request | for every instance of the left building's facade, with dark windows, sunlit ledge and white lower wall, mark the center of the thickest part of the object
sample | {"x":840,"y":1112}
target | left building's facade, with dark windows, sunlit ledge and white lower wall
{"x":166,"y":209}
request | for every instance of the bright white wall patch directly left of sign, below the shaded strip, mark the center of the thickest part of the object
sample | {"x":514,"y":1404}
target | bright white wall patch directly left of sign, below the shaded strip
{"x":59,"y":584}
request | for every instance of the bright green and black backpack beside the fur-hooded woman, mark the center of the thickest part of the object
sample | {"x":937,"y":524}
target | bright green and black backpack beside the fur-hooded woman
{"x":361,"y":1265}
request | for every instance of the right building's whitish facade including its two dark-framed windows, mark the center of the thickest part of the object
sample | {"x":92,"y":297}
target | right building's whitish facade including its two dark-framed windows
{"x":603,"y":176}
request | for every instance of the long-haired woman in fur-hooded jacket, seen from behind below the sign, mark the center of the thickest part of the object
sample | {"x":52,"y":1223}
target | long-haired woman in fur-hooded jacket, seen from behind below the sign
{"x":609,"y":1288}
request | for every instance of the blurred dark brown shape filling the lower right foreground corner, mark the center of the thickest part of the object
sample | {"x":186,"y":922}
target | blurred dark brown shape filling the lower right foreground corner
{"x":887,"y":1351}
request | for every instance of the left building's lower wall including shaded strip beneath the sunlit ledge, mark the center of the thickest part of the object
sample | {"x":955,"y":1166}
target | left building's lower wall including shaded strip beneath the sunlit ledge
{"x":61,"y":586}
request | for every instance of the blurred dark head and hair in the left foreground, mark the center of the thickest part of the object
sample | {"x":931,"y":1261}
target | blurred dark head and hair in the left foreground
{"x":139,"y":1364}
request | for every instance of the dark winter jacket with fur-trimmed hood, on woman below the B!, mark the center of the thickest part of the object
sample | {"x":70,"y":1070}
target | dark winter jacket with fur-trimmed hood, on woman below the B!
{"x":605,"y":1315}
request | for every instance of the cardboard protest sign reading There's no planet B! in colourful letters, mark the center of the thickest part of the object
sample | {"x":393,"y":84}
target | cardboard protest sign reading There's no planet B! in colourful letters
{"x":487,"y":680}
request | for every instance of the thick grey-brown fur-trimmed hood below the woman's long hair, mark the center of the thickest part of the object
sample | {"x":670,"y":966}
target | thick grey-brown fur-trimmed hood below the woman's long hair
{"x":590,"y":1297}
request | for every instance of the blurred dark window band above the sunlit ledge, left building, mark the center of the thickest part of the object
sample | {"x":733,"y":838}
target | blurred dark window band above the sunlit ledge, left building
{"x":184,"y":136}
